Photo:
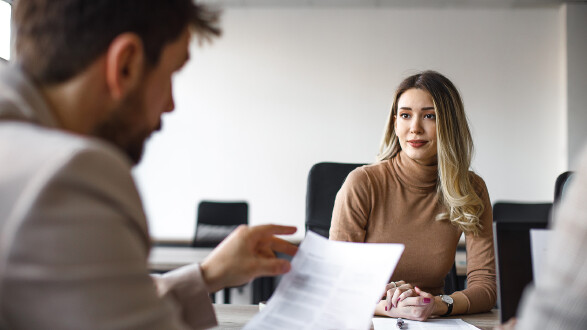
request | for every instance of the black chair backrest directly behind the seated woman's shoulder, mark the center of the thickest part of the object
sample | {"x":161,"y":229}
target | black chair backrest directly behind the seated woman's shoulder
{"x":324,"y":181}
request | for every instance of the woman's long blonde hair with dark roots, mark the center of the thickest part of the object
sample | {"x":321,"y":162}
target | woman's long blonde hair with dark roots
{"x":455,"y":189}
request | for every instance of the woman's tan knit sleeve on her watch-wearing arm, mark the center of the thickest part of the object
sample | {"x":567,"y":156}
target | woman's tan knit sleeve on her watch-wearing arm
{"x":481,"y":291}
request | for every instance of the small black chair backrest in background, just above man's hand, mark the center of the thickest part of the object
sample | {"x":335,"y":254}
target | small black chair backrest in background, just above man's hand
{"x":215,"y":220}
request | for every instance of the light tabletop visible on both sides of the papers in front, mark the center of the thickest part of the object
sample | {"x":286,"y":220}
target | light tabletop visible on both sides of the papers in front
{"x":236,"y":316}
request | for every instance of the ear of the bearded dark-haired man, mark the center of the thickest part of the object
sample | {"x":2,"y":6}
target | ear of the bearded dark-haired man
{"x":125,"y":62}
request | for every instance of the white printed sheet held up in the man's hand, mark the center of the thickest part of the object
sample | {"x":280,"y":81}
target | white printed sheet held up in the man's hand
{"x":332,"y":285}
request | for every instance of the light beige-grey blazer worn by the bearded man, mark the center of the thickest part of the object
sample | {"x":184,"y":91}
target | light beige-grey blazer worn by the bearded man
{"x":74,"y":240}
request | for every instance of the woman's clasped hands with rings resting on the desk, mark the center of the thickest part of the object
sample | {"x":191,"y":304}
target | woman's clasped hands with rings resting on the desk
{"x":402,"y":299}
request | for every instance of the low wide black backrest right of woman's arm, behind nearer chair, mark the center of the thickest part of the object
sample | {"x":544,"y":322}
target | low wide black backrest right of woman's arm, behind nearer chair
{"x":521,"y":212}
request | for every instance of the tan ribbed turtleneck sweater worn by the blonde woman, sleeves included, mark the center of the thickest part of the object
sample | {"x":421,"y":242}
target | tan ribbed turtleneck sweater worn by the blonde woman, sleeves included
{"x":395,"y":201}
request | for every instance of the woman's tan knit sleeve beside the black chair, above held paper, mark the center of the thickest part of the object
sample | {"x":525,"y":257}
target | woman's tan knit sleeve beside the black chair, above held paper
{"x":351,"y":208}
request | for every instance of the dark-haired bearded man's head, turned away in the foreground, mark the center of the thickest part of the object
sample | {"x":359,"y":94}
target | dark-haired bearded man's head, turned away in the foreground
{"x":127,"y":48}
